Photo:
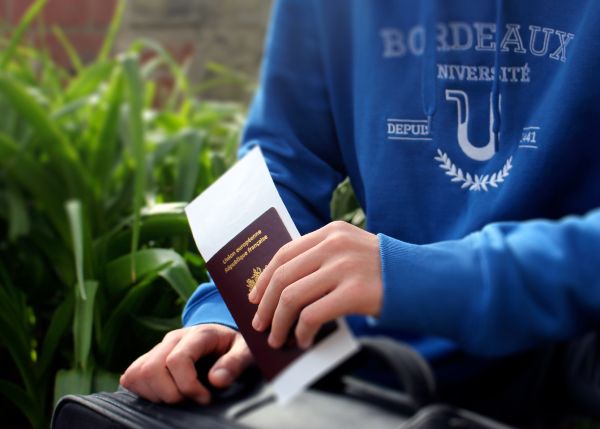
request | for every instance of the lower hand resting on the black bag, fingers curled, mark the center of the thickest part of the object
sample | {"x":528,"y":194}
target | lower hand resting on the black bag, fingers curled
{"x":167,"y":373}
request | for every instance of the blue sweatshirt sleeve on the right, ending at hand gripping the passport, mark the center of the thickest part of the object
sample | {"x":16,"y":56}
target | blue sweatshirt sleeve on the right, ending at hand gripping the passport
{"x":503,"y":289}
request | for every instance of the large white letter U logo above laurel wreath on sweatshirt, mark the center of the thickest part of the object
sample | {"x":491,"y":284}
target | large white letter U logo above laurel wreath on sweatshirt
{"x":462,"y":134}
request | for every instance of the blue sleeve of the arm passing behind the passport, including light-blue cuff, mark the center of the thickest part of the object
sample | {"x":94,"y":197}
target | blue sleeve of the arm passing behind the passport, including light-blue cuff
{"x":291,"y":120}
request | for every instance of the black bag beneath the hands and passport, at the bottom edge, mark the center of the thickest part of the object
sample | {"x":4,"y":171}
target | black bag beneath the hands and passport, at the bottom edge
{"x":337,"y":401}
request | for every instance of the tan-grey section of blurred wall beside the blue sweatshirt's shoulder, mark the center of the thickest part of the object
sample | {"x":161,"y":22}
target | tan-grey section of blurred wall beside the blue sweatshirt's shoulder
{"x":227,"y":32}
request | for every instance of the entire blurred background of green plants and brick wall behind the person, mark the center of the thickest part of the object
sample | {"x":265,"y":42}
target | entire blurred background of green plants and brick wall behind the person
{"x":114,"y":115}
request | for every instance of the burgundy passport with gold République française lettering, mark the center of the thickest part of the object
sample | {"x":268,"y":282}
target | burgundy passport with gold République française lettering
{"x":236,"y":268}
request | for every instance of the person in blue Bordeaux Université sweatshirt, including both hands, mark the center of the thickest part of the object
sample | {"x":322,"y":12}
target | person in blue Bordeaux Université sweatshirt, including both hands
{"x":467,"y":130}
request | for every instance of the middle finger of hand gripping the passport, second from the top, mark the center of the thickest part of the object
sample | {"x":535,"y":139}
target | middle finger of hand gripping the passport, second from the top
{"x":287,"y":274}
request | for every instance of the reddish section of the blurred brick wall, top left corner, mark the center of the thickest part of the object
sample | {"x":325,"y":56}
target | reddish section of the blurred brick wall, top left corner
{"x":84,"y":22}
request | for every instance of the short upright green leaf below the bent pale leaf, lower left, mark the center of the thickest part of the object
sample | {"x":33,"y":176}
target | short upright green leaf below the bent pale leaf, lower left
{"x":83,"y":324}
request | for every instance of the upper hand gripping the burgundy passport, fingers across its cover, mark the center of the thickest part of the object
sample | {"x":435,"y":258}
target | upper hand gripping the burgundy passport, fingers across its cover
{"x":329,"y":273}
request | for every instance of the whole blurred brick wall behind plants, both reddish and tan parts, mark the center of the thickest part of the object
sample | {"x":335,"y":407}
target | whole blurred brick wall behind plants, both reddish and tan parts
{"x":228,"y":32}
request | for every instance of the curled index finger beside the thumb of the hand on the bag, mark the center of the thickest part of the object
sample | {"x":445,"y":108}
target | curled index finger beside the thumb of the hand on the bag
{"x":181,"y":361}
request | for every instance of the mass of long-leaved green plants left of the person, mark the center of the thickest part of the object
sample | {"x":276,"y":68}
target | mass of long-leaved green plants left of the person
{"x":97,"y":260}
